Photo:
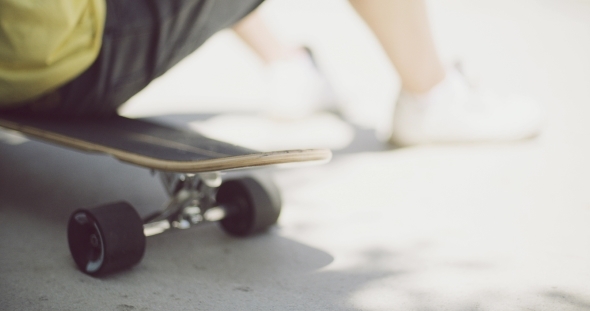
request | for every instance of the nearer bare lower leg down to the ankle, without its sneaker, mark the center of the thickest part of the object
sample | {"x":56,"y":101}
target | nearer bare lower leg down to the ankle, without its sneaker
{"x":402,"y":27}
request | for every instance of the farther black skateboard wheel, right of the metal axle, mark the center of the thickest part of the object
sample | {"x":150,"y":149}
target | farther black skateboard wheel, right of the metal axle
{"x":253,"y":206}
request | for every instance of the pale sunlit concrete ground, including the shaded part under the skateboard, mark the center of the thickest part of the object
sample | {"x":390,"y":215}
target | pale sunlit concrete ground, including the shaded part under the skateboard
{"x":486,"y":227}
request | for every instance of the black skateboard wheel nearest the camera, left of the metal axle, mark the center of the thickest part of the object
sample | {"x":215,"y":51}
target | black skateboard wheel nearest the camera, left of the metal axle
{"x":106,"y":239}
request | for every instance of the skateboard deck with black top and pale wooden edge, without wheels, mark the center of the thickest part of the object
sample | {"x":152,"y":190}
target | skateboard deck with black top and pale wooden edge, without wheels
{"x":152,"y":145}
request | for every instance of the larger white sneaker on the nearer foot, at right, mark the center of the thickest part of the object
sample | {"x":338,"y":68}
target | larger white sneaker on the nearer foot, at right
{"x":453,"y":112}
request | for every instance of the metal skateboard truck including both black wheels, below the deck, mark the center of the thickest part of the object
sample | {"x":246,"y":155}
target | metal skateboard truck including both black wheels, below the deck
{"x":112,"y":237}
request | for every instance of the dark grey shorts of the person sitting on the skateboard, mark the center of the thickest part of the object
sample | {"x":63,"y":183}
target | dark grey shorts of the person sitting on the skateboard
{"x":141,"y":41}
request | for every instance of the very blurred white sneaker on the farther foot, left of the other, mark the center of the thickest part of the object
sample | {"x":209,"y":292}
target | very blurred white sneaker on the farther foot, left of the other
{"x":298,"y":88}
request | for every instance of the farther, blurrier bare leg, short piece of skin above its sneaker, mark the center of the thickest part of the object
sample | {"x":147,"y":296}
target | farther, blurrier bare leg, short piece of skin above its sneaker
{"x":256,"y":35}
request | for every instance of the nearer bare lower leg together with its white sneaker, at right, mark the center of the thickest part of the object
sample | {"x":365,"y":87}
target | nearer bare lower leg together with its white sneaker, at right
{"x":437,"y":106}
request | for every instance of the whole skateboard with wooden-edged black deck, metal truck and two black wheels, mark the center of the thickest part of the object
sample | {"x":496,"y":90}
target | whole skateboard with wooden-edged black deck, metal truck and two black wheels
{"x":112,"y":237}
